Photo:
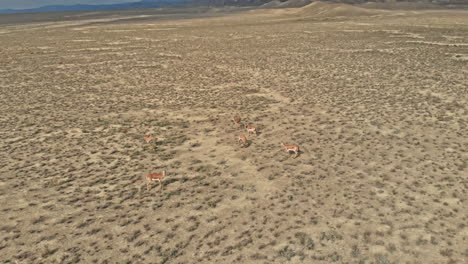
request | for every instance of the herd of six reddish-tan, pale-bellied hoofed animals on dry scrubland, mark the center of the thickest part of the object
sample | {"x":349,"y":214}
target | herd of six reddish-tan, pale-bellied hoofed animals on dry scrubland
{"x":241,"y":140}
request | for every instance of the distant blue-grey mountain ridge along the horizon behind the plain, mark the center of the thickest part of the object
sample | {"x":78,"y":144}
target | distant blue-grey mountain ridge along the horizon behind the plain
{"x":215,"y":3}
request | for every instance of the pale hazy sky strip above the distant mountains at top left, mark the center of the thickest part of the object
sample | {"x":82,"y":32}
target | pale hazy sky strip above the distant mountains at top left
{"x":20,"y":4}
